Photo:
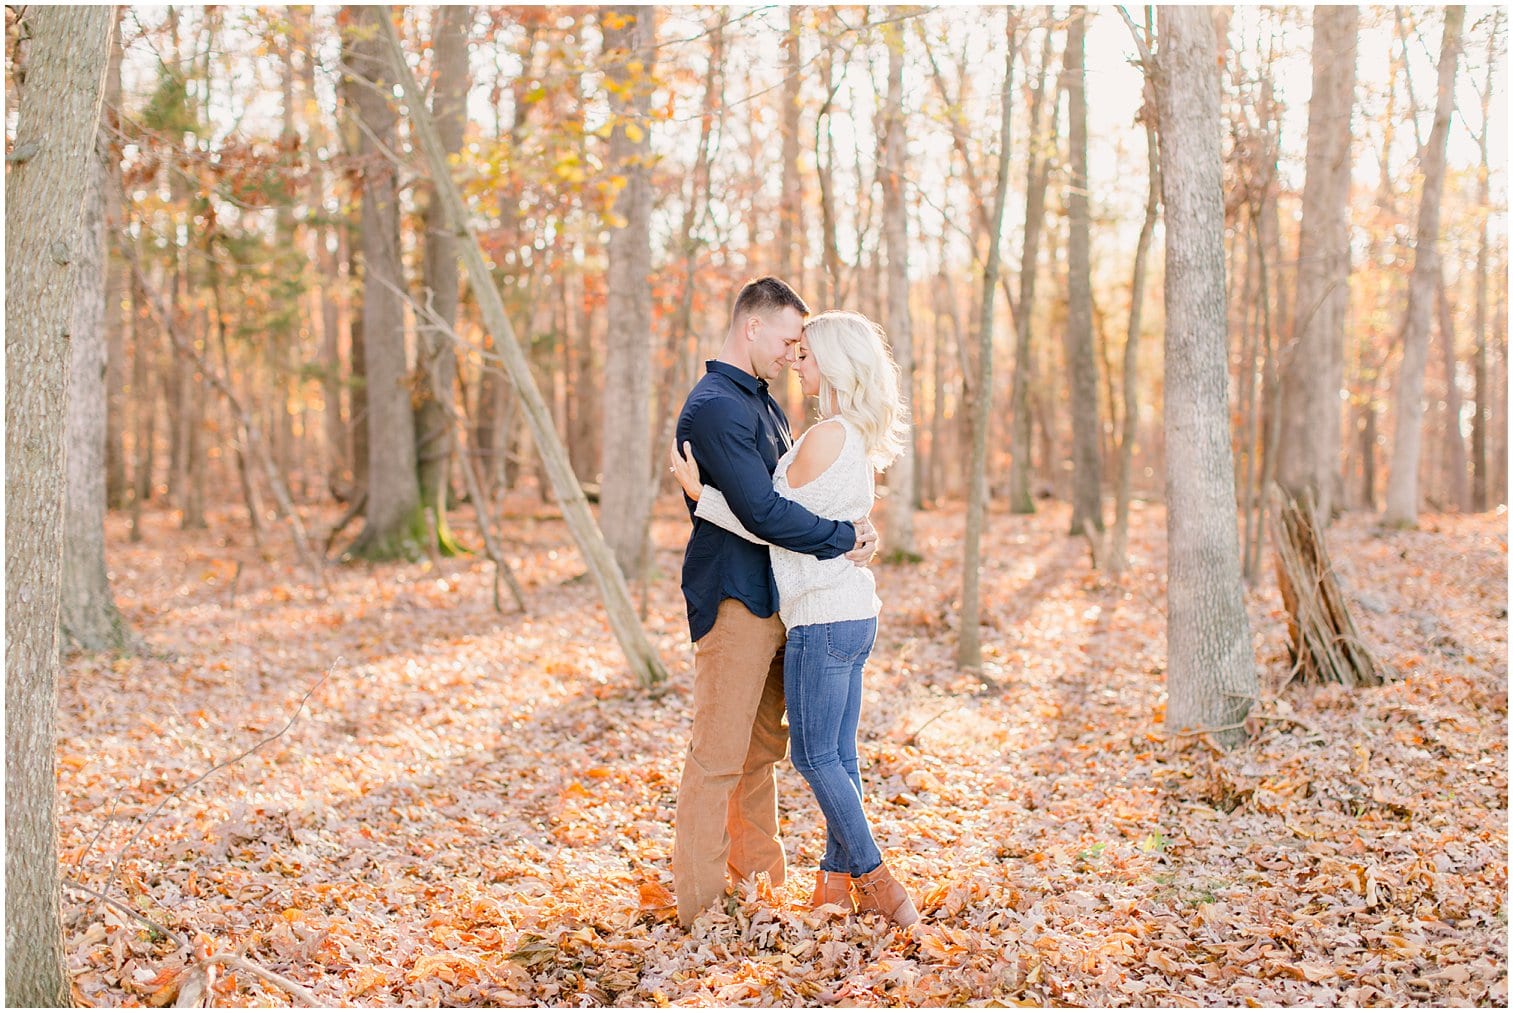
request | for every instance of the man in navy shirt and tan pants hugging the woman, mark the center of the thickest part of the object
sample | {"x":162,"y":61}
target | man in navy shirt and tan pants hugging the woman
{"x":729,"y":799}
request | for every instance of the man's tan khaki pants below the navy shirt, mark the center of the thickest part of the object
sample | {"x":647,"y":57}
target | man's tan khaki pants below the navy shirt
{"x":729,"y":799}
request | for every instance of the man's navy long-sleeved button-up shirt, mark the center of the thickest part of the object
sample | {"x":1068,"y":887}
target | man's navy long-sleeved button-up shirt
{"x":739,"y":433}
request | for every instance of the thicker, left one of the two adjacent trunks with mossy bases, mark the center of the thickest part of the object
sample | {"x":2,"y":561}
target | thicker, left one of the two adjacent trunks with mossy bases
{"x":394,"y":521}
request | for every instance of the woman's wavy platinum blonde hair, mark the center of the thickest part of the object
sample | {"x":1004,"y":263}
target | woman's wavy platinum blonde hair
{"x":860,"y":382}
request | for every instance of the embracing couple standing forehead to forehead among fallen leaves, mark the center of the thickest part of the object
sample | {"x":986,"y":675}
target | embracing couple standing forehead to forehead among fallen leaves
{"x":783,"y":609}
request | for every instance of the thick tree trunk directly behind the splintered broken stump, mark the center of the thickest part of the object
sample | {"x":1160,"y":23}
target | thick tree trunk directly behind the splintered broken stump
{"x":1310,"y":441}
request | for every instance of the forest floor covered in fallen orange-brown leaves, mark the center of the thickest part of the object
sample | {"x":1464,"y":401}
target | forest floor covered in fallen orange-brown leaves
{"x":476,"y":808}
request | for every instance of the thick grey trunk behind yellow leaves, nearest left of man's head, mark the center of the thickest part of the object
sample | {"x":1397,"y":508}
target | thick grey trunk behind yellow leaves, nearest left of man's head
{"x":624,"y":510}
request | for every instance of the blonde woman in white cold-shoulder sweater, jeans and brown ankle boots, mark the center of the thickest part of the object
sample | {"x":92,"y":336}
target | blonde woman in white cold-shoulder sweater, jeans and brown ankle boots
{"x":831,"y":606}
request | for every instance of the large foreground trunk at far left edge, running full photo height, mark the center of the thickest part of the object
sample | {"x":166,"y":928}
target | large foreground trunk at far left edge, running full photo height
{"x":58,"y":120}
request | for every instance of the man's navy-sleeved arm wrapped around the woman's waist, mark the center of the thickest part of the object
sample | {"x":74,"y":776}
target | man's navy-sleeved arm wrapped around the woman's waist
{"x":725,"y":447}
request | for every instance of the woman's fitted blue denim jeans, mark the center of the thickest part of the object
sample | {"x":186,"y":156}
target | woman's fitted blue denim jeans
{"x":822,"y":681}
